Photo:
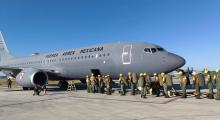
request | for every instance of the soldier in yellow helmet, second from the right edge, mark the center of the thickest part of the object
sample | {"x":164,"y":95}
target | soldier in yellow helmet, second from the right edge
{"x":209,"y":82}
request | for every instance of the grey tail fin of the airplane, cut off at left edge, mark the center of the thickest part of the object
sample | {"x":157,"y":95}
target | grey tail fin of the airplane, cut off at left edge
{"x":4,"y":53}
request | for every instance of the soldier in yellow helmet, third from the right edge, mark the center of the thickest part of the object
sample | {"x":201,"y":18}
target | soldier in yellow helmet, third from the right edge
{"x":195,"y":78}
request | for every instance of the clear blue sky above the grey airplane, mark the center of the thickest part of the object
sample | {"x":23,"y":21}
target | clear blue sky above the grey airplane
{"x":189,"y":28}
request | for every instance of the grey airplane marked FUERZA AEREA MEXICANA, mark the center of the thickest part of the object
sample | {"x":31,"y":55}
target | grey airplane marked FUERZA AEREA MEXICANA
{"x":112,"y":59}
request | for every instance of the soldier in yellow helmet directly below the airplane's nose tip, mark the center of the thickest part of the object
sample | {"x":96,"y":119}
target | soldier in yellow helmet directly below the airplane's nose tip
{"x":183,"y":83}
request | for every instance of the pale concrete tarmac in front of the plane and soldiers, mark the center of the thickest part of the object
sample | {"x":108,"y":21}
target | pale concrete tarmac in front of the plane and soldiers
{"x":16,"y":104}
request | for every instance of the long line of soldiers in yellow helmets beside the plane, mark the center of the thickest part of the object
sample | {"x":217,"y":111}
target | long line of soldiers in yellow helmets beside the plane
{"x":144,"y":84}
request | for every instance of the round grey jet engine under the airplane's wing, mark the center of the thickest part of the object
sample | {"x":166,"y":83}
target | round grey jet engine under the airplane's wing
{"x":31,"y":77}
